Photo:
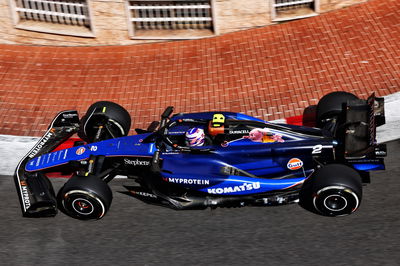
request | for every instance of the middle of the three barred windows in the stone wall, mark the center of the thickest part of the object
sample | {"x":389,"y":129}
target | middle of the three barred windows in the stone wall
{"x":170,"y":19}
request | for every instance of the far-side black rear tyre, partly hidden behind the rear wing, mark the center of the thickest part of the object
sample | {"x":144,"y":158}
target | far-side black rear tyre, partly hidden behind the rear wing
{"x":331,"y":104}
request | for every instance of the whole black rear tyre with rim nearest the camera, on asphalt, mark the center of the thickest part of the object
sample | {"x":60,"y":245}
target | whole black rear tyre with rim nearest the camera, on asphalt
{"x":336,"y":190}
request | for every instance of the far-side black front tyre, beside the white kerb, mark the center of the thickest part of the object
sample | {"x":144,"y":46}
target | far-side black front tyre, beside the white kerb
{"x":104,"y":120}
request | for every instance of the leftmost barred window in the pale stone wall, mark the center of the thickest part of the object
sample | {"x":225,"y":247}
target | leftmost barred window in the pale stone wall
{"x":66,"y":17}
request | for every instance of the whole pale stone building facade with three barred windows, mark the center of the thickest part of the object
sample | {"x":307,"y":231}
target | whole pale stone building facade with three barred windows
{"x":122,"y":22}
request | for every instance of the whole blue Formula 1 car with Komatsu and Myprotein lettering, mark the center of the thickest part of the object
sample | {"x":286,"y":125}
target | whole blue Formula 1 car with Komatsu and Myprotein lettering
{"x":245,"y":162}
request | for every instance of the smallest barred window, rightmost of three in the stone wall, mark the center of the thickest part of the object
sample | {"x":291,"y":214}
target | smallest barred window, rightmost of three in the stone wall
{"x":283,"y":10}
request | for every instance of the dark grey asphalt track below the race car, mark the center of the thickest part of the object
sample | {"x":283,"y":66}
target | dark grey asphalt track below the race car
{"x":135,"y":233}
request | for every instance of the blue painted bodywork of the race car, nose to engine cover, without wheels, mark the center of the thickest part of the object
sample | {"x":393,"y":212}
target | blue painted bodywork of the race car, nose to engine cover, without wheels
{"x":238,"y":166}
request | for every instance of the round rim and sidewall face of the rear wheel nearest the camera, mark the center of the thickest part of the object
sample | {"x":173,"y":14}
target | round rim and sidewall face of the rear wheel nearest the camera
{"x":336,"y":201}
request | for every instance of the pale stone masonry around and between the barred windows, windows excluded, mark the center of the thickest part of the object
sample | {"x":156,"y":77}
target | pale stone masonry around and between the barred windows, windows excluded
{"x":110,"y":23}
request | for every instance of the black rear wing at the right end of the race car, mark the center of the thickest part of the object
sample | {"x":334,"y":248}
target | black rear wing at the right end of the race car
{"x":362,"y":117}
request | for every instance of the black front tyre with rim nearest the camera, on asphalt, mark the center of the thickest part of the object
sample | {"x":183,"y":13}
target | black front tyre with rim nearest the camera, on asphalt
{"x":85,"y":198}
